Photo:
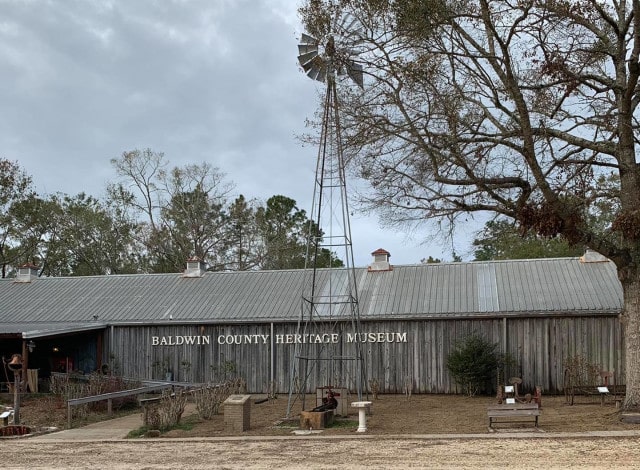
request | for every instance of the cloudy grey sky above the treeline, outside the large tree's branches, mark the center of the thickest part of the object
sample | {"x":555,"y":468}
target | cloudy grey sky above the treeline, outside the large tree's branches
{"x":212,"y":81}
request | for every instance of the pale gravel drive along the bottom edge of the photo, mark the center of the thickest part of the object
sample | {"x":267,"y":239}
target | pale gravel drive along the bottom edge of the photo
{"x":305,"y":452}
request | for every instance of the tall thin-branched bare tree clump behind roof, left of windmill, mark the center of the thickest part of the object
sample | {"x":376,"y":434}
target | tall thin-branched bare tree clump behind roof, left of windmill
{"x":184,"y":208}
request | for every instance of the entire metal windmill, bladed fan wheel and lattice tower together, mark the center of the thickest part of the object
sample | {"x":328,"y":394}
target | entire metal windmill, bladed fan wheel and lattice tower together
{"x":329,"y":312}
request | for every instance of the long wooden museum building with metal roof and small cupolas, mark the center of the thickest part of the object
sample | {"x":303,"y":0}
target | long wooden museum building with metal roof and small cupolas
{"x":200,"y":326}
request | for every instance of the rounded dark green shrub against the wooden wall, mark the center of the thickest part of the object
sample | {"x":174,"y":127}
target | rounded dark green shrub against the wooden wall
{"x":474,"y":363}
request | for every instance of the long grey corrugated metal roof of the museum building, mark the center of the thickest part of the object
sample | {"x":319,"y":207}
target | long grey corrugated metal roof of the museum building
{"x":562,"y":285}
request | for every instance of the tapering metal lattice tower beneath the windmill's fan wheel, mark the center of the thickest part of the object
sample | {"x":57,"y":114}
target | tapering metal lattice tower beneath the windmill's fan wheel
{"x":329,"y":354}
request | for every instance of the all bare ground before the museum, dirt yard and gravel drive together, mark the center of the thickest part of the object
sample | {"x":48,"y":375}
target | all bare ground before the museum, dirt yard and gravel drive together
{"x":271,"y":441}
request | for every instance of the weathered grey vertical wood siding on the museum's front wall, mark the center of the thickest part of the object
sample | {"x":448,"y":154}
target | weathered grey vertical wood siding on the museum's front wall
{"x":539,"y":345}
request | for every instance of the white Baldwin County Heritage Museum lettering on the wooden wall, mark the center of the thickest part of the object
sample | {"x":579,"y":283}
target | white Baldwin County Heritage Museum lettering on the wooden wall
{"x":281,"y":339}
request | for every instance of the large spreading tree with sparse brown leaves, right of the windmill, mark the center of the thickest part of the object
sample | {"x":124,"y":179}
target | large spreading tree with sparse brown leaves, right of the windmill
{"x":520,"y":109}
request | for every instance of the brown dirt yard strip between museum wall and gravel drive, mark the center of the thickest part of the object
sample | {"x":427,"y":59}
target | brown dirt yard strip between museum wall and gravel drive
{"x":390,"y":414}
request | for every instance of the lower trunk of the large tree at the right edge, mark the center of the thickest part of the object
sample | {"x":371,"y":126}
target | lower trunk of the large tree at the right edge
{"x":631,"y":323}
